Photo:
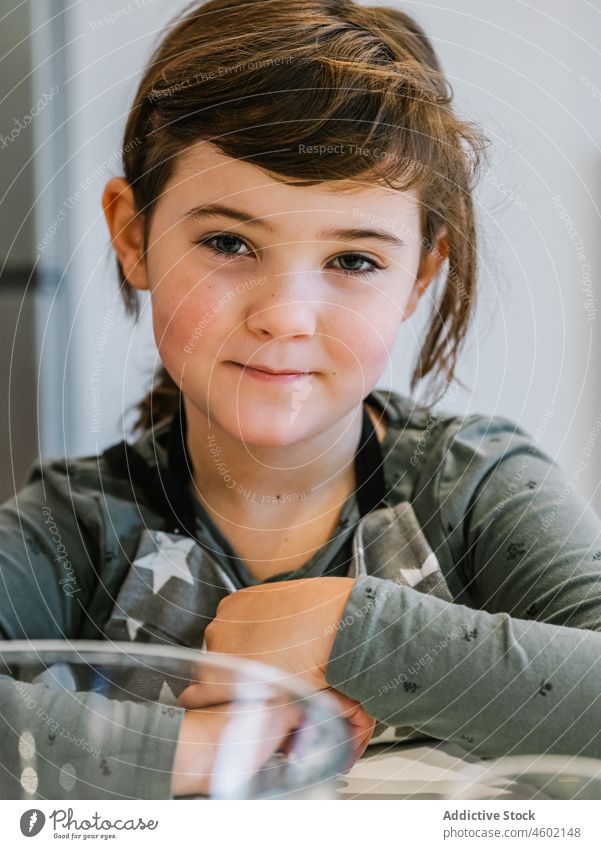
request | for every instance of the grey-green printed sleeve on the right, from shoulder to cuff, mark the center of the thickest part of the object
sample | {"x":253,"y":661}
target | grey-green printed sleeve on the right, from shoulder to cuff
{"x":518,"y":672}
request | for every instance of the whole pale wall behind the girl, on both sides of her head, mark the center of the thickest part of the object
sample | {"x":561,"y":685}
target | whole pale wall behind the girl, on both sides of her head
{"x":517,"y":69}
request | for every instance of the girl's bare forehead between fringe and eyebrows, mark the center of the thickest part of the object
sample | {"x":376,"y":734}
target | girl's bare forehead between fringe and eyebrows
{"x":204,"y":174}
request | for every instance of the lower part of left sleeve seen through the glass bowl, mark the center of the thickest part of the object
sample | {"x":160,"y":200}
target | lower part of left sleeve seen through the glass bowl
{"x":72,"y":745}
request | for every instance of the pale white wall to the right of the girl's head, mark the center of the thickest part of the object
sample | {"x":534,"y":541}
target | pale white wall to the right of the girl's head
{"x":516,"y":68}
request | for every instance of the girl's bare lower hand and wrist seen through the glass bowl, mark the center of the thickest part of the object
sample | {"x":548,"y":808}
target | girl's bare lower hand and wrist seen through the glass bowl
{"x":252,"y":733}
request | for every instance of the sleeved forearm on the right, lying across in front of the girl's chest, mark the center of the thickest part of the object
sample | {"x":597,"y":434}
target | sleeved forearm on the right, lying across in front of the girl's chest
{"x":489,"y":682}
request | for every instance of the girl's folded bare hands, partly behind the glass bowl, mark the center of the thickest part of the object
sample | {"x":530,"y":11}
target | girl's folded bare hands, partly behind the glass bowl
{"x":289,"y":625}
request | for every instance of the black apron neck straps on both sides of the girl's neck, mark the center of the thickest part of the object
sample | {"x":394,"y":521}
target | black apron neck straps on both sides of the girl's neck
{"x":169,"y":494}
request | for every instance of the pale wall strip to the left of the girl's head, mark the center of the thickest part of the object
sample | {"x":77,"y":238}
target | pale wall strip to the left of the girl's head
{"x":107,"y":361}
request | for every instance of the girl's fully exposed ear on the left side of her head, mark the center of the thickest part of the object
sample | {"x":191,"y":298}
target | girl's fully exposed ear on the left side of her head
{"x":126,"y":229}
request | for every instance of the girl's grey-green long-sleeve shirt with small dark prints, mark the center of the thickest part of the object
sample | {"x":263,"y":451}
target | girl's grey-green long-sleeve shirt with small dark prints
{"x":508,"y":666}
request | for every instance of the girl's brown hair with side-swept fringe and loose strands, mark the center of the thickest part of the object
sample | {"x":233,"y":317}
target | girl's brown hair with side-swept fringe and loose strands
{"x":265,"y":80}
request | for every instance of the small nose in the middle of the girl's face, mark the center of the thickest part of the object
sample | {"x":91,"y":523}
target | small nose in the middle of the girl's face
{"x":283,"y":305}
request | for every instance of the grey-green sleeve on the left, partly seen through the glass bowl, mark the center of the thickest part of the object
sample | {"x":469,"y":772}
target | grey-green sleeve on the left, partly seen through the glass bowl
{"x":63,"y":744}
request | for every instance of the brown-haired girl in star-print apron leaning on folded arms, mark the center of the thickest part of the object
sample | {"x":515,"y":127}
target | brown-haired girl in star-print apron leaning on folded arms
{"x":295,"y":179}
